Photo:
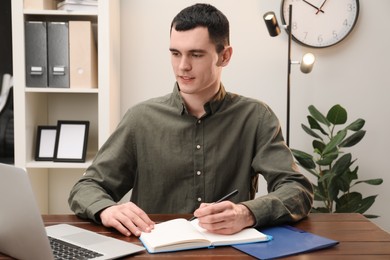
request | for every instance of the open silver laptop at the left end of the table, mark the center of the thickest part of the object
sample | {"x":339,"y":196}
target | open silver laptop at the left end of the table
{"x":22,"y":232}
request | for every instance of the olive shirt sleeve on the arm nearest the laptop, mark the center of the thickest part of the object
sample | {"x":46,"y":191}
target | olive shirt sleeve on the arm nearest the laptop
{"x":102,"y":184}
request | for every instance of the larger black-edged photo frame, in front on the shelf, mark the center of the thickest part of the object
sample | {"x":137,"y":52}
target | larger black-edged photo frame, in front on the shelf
{"x":71,"y":141}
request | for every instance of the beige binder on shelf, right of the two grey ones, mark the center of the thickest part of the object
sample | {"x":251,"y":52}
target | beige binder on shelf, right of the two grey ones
{"x":82,"y":55}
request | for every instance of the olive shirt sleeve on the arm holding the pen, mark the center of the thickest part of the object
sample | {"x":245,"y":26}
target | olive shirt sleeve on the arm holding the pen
{"x":290,"y":194}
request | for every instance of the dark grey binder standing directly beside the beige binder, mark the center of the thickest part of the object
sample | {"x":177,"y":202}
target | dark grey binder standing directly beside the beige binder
{"x":58,"y":54}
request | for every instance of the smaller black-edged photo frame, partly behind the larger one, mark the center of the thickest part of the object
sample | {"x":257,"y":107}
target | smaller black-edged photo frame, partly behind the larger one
{"x":46,"y":138}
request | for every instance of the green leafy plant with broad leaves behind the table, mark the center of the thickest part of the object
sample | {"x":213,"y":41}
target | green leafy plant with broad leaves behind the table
{"x":331,"y":165}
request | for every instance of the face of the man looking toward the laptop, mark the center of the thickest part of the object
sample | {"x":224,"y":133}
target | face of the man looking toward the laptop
{"x":195,"y":62}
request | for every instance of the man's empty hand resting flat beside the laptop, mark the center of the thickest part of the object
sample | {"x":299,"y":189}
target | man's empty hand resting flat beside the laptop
{"x":127,"y":218}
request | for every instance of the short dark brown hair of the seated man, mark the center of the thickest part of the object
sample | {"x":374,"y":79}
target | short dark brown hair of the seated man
{"x":204,"y":15}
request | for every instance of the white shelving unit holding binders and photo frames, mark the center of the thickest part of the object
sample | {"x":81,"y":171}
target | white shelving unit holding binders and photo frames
{"x":44,"y":106}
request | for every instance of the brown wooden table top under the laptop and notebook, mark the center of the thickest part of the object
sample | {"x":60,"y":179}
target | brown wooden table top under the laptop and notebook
{"x":359,"y":238}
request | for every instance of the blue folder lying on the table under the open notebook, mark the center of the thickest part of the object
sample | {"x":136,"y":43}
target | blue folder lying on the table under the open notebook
{"x":287,"y":240}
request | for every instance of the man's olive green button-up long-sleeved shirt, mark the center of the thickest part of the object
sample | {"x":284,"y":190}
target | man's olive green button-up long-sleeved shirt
{"x":174,"y":161}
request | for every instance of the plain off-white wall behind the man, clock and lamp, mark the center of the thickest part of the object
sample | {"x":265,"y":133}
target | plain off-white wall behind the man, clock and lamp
{"x":354,"y":73}
